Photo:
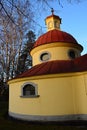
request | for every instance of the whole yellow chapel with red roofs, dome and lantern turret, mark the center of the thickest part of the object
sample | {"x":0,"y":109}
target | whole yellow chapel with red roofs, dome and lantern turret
{"x":55,"y":88}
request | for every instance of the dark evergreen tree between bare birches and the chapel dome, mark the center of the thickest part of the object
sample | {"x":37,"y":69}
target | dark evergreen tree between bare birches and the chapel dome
{"x":25,"y":60}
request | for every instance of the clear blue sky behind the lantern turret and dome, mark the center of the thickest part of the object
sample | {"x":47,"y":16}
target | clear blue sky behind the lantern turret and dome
{"x":74,"y":19}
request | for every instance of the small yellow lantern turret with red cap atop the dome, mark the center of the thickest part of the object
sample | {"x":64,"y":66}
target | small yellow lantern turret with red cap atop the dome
{"x":53,"y":21}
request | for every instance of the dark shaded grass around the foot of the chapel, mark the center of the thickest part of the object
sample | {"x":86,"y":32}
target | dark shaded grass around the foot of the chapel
{"x":10,"y":124}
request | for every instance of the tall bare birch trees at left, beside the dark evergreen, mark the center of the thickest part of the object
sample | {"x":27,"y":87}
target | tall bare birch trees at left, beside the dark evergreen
{"x":13,"y":28}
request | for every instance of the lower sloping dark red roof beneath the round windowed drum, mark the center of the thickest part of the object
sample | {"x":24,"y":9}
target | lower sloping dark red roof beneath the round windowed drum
{"x":57,"y":66}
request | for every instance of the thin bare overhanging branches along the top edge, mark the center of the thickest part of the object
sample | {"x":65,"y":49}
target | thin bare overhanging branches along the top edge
{"x":8,"y":7}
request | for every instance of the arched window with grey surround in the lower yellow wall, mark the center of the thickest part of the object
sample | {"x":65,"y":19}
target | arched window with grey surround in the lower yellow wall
{"x":29,"y":90}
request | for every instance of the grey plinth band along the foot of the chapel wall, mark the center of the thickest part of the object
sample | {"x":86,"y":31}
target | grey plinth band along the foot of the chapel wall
{"x":45,"y":118}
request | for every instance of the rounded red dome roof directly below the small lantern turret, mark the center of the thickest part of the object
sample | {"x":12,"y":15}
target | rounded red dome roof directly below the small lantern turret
{"x":55,"y":36}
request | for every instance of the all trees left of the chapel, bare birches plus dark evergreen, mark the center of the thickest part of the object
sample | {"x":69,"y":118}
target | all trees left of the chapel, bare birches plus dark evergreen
{"x":16,"y":19}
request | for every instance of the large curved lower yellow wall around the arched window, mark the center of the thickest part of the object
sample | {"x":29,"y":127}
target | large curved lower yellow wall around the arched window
{"x":60,"y":94}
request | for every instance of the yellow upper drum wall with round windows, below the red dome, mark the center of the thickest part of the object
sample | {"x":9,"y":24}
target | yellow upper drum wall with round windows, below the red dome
{"x":58,"y":51}
